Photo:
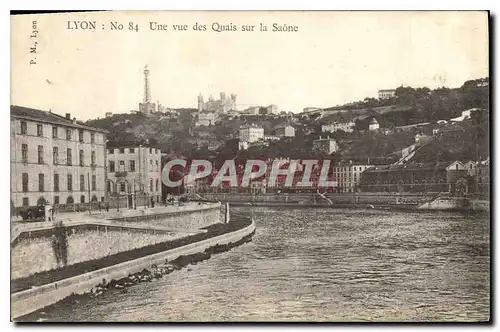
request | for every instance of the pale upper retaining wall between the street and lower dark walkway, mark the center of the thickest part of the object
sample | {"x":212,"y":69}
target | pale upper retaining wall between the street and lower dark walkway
{"x":32,"y":252}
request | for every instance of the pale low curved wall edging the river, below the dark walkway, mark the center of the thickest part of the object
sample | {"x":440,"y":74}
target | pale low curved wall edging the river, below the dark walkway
{"x":25,"y":302}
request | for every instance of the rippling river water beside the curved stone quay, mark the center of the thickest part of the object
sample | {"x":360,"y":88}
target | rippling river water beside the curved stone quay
{"x":321,"y":265}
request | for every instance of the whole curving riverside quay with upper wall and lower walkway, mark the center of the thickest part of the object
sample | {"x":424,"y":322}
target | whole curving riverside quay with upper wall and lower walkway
{"x":107,"y":247}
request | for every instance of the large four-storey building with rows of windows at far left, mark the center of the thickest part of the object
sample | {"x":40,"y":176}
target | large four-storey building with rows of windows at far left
{"x":55,"y":159}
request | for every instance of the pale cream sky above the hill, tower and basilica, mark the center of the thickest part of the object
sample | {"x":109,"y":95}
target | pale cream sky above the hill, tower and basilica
{"x":333,"y":58}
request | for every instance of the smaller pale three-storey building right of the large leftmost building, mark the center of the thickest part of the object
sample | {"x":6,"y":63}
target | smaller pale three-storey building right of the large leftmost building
{"x":134,"y":172}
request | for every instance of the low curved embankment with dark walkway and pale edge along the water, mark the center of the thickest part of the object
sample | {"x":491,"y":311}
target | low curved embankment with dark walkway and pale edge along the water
{"x":151,"y":261}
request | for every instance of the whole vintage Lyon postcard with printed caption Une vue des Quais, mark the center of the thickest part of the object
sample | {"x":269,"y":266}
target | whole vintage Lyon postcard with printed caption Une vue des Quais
{"x":250,"y":166}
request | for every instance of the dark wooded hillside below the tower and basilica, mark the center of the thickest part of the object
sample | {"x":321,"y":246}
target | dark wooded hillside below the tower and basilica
{"x":177,"y":134}
